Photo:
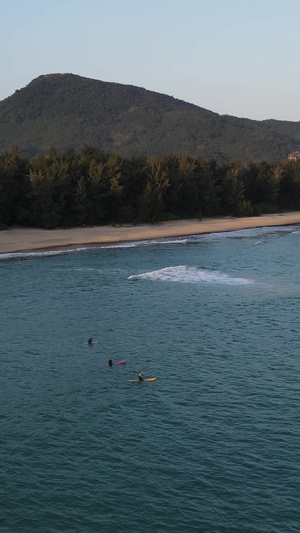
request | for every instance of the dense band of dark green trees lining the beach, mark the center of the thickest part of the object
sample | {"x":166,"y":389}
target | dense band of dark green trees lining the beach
{"x":90,"y":187}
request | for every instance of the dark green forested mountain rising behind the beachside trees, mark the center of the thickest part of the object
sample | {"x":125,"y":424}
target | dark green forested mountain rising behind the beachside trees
{"x":66,"y":111}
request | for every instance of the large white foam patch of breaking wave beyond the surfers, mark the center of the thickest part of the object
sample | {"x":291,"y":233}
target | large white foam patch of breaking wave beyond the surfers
{"x":186,"y":274}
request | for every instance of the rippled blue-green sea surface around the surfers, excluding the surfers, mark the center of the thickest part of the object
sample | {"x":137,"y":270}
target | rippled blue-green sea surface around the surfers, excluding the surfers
{"x":213,"y":445}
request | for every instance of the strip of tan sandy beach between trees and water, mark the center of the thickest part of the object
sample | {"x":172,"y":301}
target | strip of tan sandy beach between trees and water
{"x":29,"y":239}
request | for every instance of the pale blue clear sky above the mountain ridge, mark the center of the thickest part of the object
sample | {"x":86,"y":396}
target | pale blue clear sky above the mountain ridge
{"x":233,"y":57}
